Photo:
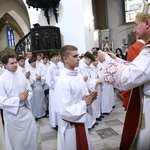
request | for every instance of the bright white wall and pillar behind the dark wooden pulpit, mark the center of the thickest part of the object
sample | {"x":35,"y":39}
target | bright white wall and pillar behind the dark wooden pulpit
{"x":73,"y":20}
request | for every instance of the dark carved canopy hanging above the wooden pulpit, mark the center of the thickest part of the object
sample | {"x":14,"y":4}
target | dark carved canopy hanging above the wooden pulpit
{"x":47,"y":6}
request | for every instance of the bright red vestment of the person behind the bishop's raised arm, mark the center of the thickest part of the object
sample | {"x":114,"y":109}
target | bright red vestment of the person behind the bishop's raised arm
{"x":133,"y":52}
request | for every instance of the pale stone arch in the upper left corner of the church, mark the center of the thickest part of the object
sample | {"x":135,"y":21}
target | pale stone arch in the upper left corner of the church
{"x":16,"y":16}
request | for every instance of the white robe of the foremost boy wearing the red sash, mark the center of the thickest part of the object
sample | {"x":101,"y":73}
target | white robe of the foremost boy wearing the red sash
{"x":69,"y":90}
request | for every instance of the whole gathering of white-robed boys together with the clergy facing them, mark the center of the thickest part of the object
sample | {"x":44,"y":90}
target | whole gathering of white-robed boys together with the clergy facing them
{"x":80,"y":89}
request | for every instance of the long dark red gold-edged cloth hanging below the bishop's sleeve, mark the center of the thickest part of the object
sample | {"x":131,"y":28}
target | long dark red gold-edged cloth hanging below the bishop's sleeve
{"x":133,"y":120}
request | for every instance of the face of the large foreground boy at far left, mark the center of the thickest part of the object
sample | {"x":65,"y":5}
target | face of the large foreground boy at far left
{"x":11,"y":65}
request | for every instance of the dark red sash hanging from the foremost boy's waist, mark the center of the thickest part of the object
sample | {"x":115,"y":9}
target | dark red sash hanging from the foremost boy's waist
{"x":81,"y":138}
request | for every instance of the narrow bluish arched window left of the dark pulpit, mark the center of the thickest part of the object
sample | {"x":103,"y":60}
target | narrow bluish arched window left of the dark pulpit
{"x":10,"y":37}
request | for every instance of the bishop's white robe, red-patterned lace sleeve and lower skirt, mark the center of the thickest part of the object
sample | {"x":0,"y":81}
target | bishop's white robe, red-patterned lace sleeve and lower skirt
{"x":126,"y":76}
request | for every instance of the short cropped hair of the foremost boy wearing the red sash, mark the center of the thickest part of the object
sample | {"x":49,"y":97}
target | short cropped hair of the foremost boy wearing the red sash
{"x":66,"y":49}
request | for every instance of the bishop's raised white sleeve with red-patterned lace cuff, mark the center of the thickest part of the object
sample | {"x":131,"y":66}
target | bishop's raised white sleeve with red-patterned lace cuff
{"x":126,"y":76}
